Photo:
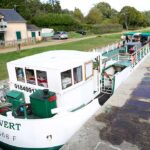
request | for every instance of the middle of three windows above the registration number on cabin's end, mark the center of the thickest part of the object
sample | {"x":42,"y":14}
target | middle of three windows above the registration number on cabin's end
{"x":30,"y":76}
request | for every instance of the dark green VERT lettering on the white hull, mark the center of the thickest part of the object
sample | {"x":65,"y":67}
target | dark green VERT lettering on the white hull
{"x":10,"y":125}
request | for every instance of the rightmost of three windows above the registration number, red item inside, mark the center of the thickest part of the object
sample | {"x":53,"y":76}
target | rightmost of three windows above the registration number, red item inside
{"x":42,"y":78}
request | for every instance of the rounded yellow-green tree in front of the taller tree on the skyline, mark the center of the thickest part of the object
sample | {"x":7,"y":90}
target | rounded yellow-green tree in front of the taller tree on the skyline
{"x":94,"y":16}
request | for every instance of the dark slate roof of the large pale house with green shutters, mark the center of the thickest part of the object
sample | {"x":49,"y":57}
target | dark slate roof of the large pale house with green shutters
{"x":10,"y":15}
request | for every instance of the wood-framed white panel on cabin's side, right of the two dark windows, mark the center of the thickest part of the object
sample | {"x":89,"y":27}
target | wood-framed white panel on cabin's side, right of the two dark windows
{"x":88,"y":69}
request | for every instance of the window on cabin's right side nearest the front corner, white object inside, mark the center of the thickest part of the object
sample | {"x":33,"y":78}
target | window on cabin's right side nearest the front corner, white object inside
{"x":66,"y":79}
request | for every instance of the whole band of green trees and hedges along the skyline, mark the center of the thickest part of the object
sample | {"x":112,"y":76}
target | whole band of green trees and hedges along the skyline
{"x":50,"y":14}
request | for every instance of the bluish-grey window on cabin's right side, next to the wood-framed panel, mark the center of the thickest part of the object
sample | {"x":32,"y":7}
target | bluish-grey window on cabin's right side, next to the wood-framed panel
{"x":77,"y":73}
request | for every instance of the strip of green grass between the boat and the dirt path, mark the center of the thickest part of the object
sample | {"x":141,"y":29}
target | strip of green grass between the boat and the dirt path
{"x":83,"y":45}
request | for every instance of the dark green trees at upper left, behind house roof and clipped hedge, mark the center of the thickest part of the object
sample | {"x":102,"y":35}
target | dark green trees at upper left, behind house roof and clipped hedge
{"x":31,"y":8}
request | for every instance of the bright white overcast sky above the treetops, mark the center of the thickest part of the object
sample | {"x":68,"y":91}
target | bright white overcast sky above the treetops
{"x":86,"y":5}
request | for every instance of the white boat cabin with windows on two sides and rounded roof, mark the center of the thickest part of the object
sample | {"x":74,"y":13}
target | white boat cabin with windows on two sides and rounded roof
{"x":73,"y":75}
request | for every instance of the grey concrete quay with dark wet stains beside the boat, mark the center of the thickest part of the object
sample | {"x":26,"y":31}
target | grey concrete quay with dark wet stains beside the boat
{"x":123,"y":122}
